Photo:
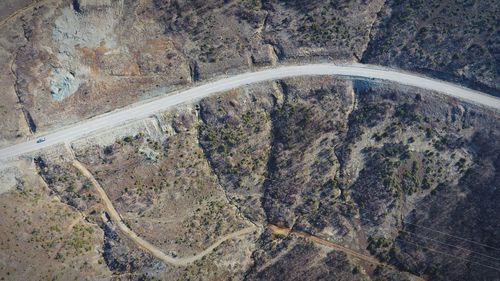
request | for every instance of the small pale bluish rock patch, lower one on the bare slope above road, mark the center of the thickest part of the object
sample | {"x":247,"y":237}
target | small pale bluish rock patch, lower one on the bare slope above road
{"x":62,"y":84}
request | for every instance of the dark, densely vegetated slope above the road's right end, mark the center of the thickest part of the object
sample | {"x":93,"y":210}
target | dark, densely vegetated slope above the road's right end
{"x":452,"y":40}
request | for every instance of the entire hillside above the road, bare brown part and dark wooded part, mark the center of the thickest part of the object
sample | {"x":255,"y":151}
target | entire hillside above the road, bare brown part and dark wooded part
{"x":97,"y":56}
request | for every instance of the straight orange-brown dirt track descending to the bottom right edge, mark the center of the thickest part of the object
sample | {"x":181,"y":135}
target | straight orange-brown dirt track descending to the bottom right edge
{"x":318,"y":240}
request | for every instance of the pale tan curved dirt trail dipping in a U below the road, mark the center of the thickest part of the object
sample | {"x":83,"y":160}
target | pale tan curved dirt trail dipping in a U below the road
{"x":145,"y":245}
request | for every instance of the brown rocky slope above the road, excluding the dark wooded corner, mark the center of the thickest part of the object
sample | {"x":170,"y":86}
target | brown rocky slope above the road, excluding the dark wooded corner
{"x":100,"y":55}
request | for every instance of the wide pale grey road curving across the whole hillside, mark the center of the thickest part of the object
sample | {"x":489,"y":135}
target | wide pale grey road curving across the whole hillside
{"x":142,"y":110}
